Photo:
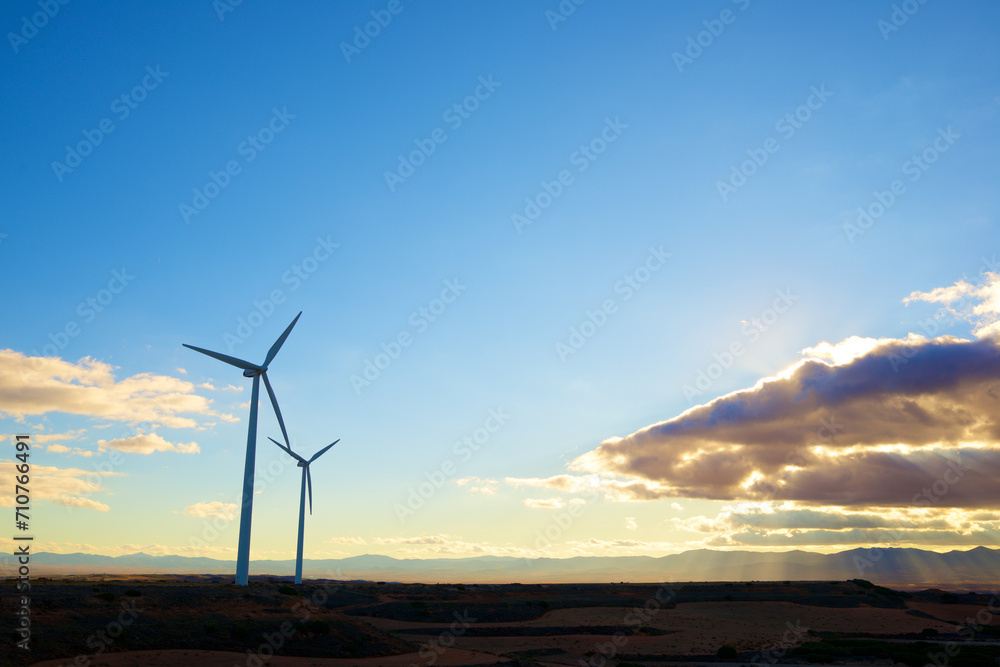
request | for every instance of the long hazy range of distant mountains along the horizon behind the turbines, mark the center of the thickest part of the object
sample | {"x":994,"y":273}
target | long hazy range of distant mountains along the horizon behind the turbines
{"x":979,"y":566}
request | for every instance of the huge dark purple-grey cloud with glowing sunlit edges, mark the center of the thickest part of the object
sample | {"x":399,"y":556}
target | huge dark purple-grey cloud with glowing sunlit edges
{"x":863,"y":422}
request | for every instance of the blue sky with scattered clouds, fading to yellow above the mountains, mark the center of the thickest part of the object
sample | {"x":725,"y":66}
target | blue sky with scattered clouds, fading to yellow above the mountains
{"x":598,"y":279}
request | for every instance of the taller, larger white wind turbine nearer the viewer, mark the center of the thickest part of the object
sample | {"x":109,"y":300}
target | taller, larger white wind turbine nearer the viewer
{"x":246,"y":509}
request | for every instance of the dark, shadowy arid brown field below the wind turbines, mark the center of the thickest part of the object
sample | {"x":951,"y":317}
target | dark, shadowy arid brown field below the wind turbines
{"x":207,"y":621}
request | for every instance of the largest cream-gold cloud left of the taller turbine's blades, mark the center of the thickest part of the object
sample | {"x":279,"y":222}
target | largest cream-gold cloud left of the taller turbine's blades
{"x":40,"y":385}
